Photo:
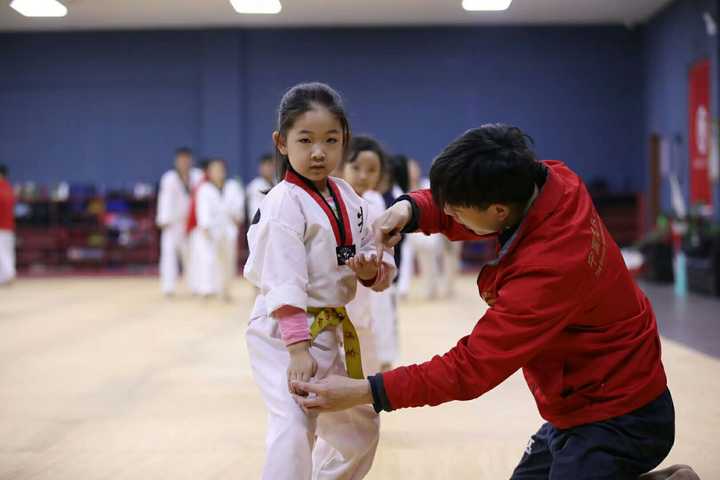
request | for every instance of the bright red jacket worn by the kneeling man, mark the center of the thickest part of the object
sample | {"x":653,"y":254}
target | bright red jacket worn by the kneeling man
{"x":564,"y":309}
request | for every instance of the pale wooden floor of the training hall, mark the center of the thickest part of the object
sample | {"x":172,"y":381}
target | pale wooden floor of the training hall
{"x":105,"y":379}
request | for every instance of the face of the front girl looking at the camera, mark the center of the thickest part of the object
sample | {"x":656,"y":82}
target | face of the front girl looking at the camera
{"x":314,"y":145}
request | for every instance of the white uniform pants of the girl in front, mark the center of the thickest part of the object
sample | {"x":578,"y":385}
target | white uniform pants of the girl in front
{"x":337,"y":445}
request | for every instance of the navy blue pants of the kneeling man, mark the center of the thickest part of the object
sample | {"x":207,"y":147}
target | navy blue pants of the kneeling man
{"x":619,"y":448}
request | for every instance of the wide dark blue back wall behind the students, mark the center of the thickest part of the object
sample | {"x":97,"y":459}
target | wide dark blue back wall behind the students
{"x":110,"y":107}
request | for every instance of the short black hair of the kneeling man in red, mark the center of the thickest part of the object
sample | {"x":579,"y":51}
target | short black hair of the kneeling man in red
{"x":490,"y":164}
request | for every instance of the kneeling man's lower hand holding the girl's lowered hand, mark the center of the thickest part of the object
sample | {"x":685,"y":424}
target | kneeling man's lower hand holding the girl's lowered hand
{"x":332,"y":393}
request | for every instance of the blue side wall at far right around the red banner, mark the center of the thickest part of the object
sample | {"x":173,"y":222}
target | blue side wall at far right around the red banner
{"x":672,"y":42}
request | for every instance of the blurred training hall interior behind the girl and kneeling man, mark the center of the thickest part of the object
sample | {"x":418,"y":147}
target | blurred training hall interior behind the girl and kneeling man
{"x":123,"y":354}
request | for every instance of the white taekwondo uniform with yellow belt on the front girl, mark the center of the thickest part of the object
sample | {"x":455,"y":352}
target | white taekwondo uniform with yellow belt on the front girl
{"x":298,"y":248}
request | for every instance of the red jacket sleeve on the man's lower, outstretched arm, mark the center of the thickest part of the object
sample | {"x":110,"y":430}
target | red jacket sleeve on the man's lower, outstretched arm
{"x":532,"y":308}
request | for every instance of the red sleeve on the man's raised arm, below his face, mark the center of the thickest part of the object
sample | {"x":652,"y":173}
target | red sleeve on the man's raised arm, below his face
{"x":430,"y":219}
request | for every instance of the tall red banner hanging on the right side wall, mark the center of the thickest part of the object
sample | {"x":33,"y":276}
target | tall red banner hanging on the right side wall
{"x":699,"y":134}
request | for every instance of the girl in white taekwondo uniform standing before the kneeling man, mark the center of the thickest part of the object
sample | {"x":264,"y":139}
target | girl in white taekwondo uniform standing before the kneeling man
{"x":310,"y":243}
